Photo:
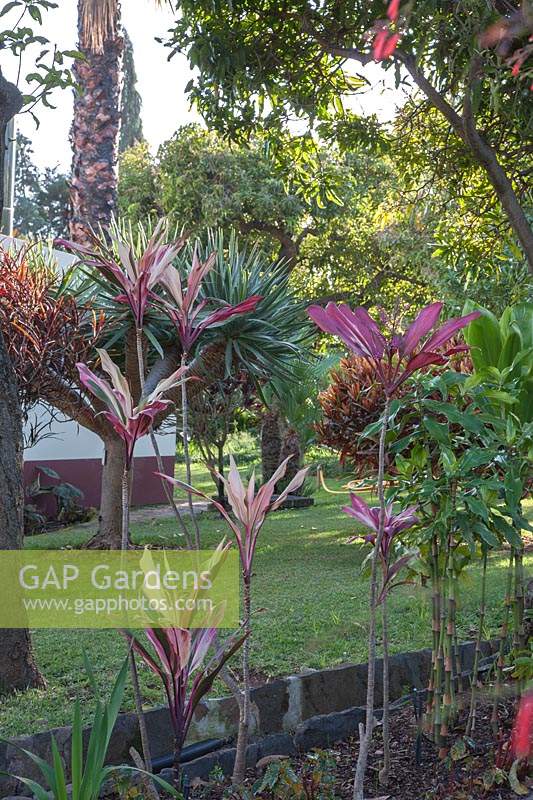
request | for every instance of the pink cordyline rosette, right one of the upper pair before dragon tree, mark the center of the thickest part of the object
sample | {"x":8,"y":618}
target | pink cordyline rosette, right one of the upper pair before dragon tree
{"x":184,"y":310}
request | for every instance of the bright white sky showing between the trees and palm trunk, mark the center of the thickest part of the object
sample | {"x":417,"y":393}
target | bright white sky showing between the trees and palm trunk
{"x":161,"y":83}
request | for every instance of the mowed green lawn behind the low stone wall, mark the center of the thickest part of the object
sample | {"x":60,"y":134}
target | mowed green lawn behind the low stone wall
{"x":313,"y":601}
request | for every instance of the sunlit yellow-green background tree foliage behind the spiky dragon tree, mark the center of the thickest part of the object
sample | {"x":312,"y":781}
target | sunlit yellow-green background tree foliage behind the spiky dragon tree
{"x":331,"y":215}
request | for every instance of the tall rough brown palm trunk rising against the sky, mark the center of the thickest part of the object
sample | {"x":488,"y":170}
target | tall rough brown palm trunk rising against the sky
{"x":96,"y":126}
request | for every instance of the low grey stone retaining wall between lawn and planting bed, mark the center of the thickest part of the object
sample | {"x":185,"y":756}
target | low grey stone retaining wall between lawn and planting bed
{"x":312,"y":709}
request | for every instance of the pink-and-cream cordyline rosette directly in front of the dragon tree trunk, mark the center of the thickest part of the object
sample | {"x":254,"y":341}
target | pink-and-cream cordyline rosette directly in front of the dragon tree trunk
{"x":131,"y":423}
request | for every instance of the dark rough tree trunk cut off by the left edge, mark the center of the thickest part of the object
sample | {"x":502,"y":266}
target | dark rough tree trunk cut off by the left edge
{"x":17,"y":667}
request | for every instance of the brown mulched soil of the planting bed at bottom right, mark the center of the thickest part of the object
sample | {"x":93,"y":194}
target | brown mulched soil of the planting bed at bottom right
{"x":417,"y":773}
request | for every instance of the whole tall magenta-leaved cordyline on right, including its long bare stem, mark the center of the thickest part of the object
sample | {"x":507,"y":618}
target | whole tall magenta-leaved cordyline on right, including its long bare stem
{"x":393,"y":359}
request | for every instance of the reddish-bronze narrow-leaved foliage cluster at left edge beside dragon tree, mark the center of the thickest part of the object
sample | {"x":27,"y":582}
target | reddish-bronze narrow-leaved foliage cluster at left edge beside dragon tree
{"x":45,"y":331}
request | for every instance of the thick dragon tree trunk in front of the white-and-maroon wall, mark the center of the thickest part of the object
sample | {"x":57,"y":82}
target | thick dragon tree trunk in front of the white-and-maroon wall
{"x":109,"y":536}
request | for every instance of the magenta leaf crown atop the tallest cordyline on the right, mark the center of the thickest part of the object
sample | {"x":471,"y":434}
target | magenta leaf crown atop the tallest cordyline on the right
{"x":395,"y":359}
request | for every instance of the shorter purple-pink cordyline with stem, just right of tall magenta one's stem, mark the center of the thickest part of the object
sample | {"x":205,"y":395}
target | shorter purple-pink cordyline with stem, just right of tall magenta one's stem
{"x":393,"y":525}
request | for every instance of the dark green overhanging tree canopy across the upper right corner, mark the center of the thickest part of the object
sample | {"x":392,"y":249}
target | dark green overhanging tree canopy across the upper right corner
{"x":259,"y":65}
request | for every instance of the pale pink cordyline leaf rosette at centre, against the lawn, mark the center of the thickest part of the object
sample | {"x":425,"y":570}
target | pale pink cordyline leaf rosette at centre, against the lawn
{"x":249,"y":508}
